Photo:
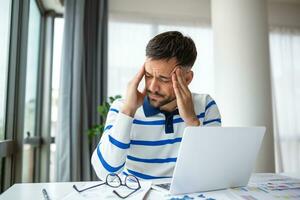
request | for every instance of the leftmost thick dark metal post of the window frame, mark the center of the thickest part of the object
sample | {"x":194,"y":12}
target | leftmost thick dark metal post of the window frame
{"x":15,"y":93}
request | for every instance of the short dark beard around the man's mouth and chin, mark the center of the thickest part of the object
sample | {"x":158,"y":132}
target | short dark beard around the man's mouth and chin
{"x":160,"y":99}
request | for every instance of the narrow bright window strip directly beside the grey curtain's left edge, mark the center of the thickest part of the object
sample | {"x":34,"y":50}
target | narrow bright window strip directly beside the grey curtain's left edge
{"x":57,"y":49}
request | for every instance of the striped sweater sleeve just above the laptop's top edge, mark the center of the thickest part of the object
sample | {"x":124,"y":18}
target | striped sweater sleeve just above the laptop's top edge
{"x":212,"y":114}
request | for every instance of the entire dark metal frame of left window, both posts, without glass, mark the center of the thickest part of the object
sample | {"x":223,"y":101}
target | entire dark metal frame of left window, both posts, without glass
{"x":11,"y":147}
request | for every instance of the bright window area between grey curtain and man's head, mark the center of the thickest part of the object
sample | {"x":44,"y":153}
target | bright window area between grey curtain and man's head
{"x":127,"y":42}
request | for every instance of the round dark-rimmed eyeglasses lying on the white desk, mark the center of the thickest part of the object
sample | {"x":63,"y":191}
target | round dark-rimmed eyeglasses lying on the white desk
{"x":113,"y":180}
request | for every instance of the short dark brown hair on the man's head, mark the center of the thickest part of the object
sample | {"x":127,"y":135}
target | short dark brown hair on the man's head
{"x":172,"y":44}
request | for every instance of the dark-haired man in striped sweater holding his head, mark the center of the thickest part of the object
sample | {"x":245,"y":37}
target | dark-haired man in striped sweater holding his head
{"x":143,"y":132}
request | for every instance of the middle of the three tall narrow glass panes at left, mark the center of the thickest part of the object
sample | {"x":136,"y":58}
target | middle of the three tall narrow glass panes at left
{"x":33,"y":43}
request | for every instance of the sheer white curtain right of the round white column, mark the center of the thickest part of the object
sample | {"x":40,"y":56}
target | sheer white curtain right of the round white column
{"x":285,"y":67}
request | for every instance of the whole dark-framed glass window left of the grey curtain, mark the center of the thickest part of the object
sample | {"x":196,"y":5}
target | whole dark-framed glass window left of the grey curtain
{"x":27,"y":72}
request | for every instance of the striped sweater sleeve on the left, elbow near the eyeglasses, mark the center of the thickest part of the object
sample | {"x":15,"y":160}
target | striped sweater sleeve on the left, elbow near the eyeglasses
{"x":111,"y":152}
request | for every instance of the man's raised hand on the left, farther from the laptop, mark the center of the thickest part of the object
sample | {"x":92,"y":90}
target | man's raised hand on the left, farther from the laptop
{"x":134,"y":98}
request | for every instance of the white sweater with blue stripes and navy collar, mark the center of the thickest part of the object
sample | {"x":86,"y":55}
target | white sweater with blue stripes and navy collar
{"x":147,"y":145}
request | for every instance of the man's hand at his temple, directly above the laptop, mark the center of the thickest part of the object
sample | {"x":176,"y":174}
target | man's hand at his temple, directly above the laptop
{"x":184,"y":99}
